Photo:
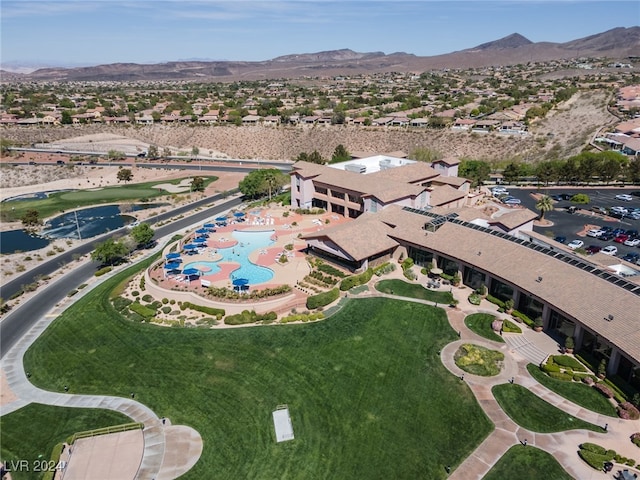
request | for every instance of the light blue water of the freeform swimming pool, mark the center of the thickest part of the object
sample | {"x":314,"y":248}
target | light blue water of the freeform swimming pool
{"x":247,"y":243}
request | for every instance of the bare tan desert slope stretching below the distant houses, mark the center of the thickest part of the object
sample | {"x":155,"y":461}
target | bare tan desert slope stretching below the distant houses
{"x":563,"y":133}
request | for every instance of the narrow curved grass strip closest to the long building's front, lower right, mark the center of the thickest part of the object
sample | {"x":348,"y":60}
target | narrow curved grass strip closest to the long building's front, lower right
{"x":578,"y":393}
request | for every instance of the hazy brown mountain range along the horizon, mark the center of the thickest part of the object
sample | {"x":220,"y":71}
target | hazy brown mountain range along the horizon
{"x":618,"y":44}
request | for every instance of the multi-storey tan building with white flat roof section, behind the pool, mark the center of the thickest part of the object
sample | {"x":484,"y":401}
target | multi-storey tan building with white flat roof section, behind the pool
{"x":371,"y":184}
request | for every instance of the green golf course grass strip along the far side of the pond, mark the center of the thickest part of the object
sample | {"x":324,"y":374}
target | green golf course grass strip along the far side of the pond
{"x":62,"y":201}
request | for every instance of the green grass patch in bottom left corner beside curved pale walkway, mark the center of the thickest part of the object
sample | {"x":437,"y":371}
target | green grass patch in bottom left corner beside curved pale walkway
{"x":35,"y":429}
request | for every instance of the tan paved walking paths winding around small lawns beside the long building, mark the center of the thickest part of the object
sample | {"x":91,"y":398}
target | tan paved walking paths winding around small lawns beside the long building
{"x":520,"y":350}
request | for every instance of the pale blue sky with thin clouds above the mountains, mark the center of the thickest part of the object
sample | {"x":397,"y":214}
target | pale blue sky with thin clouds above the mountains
{"x":85,"y":32}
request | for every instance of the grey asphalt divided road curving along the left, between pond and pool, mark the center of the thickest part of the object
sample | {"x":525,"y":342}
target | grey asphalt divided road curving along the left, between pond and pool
{"x":20,"y":321}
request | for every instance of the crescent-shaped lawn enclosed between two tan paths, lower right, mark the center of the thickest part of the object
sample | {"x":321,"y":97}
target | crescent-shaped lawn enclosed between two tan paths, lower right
{"x":531,"y":412}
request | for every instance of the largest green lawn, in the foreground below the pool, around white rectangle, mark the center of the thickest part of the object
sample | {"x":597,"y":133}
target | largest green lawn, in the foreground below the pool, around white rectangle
{"x":368,"y":395}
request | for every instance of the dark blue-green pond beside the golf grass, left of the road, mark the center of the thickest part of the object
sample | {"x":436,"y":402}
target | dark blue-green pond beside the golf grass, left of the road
{"x":82,"y":224}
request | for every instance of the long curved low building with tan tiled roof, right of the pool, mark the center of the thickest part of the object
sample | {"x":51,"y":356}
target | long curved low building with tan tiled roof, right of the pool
{"x":574,"y":297}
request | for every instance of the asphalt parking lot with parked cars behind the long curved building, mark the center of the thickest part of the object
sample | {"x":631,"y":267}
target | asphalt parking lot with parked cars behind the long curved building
{"x":573,"y":226}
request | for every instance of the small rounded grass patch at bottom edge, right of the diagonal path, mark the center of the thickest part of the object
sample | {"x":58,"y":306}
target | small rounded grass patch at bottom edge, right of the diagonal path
{"x":527,"y":463}
